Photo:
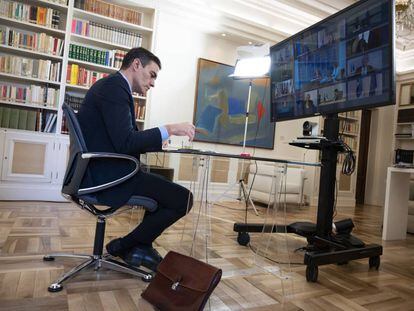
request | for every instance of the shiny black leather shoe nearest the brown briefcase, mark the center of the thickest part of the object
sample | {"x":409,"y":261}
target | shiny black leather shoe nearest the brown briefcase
{"x":143,"y":256}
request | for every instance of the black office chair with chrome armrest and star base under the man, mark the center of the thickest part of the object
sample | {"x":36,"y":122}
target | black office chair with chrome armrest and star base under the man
{"x":86,"y":199}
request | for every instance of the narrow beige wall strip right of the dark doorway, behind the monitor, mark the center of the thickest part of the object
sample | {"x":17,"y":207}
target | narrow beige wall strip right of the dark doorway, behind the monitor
{"x":379,"y":154}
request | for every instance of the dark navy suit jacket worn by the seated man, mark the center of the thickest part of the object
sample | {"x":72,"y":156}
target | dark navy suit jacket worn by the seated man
{"x":108,"y":124}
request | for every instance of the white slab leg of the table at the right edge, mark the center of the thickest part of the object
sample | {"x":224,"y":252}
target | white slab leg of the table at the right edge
{"x":396,"y":206}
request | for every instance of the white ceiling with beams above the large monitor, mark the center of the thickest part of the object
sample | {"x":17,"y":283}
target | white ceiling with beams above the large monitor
{"x":262,"y":21}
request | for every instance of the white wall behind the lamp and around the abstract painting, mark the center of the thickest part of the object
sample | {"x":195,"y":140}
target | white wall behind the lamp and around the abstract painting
{"x":179,"y":45}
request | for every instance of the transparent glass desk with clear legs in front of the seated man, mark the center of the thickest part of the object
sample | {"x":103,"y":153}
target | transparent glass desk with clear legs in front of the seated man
{"x":213,"y":177}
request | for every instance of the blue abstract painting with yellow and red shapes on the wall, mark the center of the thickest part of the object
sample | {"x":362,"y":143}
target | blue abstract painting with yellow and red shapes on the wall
{"x":220,"y":107}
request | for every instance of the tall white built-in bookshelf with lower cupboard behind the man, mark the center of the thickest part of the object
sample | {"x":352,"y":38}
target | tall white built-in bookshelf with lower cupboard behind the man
{"x":18,"y":146}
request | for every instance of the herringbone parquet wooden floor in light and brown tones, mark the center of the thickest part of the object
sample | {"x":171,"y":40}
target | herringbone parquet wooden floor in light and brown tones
{"x":28,"y":230}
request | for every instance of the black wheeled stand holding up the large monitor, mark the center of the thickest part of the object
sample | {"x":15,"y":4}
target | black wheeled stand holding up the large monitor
{"x":325,"y":247}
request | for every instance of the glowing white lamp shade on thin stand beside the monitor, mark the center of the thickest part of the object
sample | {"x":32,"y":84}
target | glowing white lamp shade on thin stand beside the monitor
{"x":251,"y":67}
